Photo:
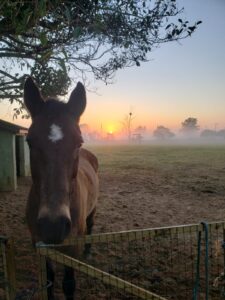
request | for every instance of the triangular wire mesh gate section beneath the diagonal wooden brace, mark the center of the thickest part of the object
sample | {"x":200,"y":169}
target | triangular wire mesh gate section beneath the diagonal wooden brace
{"x":93,"y":283}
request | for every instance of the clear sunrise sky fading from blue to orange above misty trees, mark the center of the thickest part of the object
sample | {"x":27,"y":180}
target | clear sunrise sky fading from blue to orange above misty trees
{"x":181,"y":80}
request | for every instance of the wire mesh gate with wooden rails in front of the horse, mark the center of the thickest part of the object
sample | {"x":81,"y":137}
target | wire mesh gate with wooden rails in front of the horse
{"x":158,"y":263}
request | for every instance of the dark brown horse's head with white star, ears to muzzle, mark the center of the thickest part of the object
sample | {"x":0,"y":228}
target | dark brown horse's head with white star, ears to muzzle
{"x":54,"y":139}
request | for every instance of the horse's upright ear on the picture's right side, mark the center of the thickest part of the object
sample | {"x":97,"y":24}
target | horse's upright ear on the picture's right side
{"x":77,"y":101}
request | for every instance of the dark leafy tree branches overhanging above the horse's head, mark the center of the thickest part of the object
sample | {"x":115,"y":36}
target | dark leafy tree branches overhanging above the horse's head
{"x":49,"y":39}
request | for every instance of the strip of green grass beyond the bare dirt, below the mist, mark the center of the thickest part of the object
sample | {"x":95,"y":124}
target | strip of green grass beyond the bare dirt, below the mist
{"x":158,"y":156}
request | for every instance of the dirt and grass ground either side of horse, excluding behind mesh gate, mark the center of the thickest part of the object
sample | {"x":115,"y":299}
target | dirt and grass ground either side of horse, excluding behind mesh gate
{"x":140,"y":188}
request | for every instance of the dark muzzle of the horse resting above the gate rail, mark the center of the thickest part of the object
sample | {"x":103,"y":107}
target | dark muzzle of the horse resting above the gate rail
{"x":53,"y":231}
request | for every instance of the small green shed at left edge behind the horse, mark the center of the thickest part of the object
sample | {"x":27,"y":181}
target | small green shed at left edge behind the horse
{"x":14,"y":155}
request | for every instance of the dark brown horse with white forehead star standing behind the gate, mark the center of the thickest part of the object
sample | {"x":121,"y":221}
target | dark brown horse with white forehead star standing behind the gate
{"x":64,"y":191}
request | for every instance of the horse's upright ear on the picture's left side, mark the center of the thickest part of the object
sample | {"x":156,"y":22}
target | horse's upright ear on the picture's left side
{"x":32,"y":97}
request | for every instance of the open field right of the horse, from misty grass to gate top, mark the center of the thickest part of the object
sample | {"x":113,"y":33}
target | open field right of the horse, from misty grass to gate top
{"x":188,"y":180}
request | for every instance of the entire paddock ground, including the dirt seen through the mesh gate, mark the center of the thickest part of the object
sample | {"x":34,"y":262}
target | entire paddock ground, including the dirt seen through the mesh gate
{"x":141,"y":187}
